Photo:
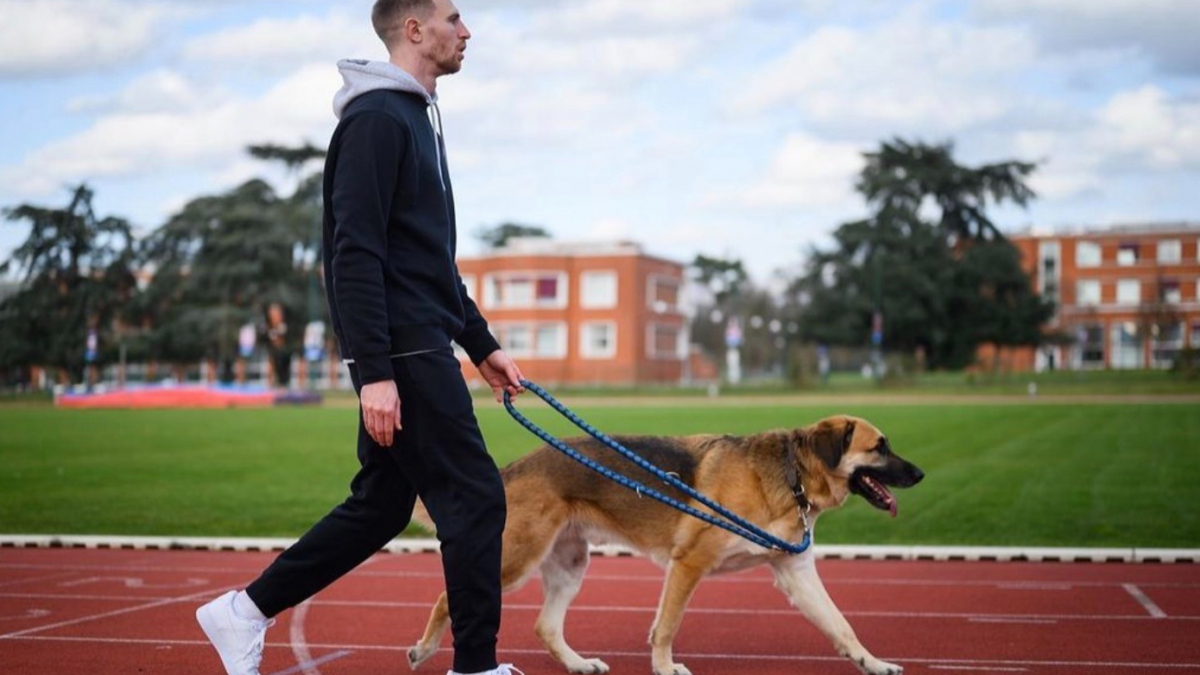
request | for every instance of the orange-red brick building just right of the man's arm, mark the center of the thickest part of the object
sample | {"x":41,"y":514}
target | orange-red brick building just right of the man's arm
{"x":584,"y":313}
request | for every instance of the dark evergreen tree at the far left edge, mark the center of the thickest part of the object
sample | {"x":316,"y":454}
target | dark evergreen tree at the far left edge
{"x":76,"y":273}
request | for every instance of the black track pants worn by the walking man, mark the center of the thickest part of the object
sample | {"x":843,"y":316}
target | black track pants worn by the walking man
{"x":440,"y":456}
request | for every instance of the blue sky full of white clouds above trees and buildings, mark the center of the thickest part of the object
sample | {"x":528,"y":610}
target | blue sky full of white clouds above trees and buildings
{"x":727,"y":128}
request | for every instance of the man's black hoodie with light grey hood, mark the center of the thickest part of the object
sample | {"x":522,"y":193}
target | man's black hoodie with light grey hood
{"x":389,"y":228}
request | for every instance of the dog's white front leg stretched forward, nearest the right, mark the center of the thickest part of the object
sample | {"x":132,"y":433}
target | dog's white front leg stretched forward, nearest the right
{"x":797,"y":577}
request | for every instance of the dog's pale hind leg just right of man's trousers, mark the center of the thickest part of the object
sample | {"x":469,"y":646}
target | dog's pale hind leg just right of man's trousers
{"x":562,"y":575}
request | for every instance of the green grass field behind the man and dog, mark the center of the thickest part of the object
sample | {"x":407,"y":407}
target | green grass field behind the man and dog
{"x":1005,"y":474}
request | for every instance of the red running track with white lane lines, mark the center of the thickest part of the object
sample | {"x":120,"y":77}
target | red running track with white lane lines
{"x":69,"y":612}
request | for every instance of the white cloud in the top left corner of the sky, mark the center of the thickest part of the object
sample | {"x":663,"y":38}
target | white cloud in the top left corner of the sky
{"x":65,"y":37}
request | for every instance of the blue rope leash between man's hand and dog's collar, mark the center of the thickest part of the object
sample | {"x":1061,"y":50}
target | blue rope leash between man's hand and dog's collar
{"x":733,"y":522}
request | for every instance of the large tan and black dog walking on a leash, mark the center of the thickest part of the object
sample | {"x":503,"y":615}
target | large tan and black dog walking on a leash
{"x":782,"y":481}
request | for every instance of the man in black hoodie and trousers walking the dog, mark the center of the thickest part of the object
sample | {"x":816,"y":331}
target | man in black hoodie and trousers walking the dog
{"x":397,"y":302}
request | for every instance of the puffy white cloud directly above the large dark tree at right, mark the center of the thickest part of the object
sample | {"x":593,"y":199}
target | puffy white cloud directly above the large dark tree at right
{"x":903,"y":77}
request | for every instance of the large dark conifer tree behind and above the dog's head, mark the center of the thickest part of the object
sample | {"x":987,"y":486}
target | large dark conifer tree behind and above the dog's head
{"x":929,"y":262}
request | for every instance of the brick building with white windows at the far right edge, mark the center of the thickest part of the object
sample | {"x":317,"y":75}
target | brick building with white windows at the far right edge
{"x":1129,"y":297}
